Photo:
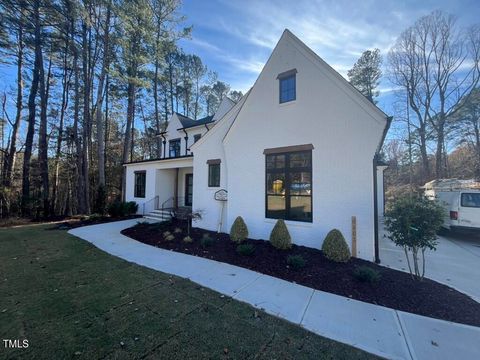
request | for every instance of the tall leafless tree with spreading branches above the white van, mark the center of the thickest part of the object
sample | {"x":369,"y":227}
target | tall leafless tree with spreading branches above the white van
{"x":437,"y":64}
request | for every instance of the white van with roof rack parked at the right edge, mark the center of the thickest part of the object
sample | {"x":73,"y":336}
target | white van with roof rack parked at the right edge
{"x":463,"y":209}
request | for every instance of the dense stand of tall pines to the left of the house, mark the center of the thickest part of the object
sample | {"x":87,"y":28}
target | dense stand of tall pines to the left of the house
{"x":96,"y":80}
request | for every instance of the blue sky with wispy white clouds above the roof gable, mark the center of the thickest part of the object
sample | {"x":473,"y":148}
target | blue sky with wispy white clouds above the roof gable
{"x":235,"y":37}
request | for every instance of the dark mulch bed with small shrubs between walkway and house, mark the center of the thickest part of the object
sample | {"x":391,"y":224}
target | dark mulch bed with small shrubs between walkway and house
{"x":395,"y":289}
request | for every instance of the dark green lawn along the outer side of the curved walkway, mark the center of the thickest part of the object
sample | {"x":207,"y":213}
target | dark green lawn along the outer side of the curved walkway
{"x":71,"y":300}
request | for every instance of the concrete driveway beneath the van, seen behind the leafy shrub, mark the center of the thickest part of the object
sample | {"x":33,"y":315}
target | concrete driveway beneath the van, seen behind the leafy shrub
{"x":456,"y":262}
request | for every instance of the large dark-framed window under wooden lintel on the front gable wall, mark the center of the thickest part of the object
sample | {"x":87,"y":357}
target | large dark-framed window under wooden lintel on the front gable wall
{"x":289,"y":186}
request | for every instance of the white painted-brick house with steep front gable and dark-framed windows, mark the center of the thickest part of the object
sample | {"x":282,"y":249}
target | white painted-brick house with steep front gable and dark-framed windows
{"x":301,"y":145}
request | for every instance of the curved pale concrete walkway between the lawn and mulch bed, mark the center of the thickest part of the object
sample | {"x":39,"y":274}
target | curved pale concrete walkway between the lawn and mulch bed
{"x":375,"y":329}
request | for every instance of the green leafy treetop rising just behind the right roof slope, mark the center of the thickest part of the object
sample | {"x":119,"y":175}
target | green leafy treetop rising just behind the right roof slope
{"x":365,"y":74}
